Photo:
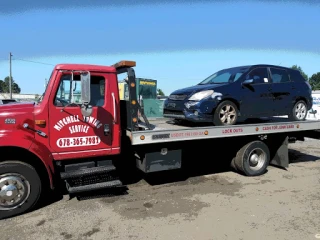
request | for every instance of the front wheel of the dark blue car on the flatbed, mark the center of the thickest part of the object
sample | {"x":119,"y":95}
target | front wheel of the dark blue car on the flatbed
{"x":225,"y":109}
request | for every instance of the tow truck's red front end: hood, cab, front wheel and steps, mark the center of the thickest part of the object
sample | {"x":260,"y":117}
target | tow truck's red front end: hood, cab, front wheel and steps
{"x":76,"y":119}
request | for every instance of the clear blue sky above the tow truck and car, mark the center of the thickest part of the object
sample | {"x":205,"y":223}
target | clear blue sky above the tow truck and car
{"x":178,"y":44}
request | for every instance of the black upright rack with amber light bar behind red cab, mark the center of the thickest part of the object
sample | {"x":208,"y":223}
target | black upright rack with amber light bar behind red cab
{"x":133,"y":107}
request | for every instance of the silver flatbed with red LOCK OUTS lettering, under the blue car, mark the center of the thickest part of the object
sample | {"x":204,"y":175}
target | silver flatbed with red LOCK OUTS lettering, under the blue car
{"x":166,"y":130}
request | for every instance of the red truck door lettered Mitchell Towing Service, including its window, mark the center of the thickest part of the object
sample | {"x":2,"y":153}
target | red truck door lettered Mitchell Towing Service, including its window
{"x":71,"y":133}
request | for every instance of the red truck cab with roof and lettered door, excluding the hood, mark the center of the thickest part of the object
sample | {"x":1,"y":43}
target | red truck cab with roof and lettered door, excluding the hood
{"x":79,"y":112}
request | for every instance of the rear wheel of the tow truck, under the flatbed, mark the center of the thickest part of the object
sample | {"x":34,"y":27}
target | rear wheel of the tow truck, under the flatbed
{"x":253,"y":159}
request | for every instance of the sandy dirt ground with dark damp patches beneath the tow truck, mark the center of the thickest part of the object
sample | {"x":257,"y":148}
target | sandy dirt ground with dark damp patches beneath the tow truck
{"x":282,"y":204}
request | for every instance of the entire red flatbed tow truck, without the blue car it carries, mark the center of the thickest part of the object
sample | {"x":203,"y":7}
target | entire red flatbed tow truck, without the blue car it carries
{"x":81,"y":135}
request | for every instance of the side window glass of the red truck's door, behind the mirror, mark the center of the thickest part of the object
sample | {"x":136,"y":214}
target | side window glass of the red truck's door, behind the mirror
{"x":63,"y":96}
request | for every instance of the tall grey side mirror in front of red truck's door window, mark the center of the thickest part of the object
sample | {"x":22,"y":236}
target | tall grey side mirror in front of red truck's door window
{"x":86,"y":109}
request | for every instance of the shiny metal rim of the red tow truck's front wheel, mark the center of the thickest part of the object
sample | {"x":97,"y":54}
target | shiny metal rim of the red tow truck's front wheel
{"x":14,"y":191}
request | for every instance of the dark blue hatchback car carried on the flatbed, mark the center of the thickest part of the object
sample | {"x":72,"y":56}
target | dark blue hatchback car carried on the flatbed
{"x":240,"y":93}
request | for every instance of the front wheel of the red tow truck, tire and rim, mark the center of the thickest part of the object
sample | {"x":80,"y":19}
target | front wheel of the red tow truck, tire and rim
{"x":20,"y":188}
